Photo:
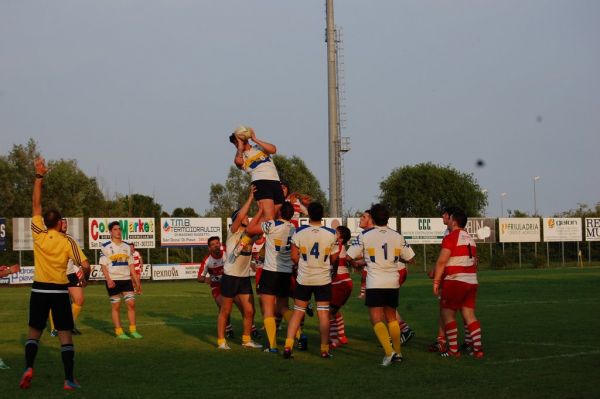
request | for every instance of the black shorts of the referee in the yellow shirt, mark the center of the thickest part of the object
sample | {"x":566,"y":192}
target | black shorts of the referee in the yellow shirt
{"x":46,"y":297}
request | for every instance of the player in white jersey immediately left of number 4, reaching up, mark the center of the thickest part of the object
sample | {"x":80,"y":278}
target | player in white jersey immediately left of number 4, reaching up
{"x":273,"y":286}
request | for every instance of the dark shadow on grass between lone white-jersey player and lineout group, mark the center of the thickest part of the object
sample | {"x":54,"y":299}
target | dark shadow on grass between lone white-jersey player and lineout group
{"x":197,"y":325}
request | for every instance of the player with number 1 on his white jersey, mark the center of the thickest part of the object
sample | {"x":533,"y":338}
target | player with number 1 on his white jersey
{"x":382,"y":249}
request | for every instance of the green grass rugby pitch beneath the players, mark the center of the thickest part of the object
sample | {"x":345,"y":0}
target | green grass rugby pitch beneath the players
{"x":540,"y":335}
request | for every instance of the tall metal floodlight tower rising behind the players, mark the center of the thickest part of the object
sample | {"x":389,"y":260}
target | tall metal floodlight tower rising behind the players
{"x":335,"y":169}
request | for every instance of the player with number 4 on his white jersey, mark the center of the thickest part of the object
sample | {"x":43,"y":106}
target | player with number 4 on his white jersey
{"x":314,"y":249}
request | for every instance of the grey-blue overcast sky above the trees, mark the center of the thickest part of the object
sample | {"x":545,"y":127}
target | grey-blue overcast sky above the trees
{"x":144,"y":93}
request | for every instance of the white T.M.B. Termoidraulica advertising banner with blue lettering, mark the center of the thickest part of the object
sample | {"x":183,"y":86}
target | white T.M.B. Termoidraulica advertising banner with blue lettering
{"x":188,"y":232}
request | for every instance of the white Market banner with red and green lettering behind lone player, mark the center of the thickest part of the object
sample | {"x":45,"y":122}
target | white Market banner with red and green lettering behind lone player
{"x":139,"y":231}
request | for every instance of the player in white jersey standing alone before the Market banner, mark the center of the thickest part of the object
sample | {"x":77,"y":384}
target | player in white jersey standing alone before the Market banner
{"x":122,"y":281}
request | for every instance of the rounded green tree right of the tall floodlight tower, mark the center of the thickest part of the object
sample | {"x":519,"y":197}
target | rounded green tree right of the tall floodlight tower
{"x":423,"y":190}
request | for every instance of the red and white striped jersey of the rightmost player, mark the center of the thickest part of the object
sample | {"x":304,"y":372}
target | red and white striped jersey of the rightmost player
{"x":462,"y":265}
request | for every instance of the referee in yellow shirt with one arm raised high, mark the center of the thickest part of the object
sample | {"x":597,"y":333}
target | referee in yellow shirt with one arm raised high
{"x":49,"y":291}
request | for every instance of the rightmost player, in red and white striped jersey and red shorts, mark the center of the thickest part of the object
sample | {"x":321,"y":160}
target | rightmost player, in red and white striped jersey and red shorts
{"x":457,"y":268}
